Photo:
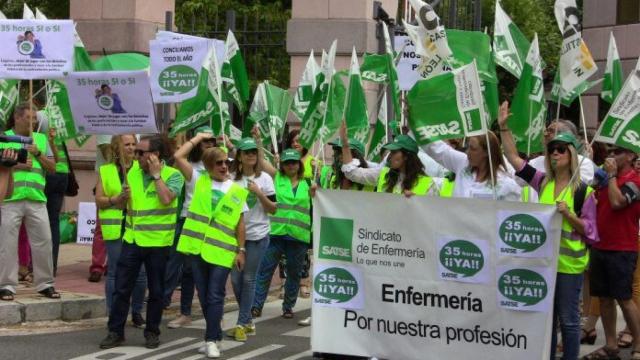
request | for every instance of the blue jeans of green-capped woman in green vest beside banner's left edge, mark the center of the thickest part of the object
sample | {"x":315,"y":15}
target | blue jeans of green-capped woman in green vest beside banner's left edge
{"x":295,"y":251}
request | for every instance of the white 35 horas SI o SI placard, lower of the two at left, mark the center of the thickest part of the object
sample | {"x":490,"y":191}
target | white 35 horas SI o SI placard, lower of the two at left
{"x":111,"y":102}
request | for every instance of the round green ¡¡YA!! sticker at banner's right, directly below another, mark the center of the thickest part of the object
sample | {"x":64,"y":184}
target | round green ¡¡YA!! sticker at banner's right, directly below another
{"x":523,"y":285}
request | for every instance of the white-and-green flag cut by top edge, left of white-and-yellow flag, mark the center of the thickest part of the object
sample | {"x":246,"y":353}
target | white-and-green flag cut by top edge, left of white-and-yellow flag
{"x":509,"y":43}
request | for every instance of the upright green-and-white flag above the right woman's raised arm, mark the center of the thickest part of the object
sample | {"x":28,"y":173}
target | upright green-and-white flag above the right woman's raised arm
{"x":528,"y":108}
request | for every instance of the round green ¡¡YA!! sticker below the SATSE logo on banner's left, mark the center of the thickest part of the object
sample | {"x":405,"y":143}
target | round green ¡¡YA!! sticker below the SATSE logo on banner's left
{"x":336,"y":284}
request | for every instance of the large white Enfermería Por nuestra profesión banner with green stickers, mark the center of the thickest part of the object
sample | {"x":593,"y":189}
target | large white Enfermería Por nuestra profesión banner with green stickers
{"x":451,"y":278}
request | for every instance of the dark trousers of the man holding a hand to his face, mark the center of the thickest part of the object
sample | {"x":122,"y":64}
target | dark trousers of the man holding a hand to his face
{"x":131,"y":259}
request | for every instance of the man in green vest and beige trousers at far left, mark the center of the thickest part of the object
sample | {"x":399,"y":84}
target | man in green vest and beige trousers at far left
{"x":28,"y":204}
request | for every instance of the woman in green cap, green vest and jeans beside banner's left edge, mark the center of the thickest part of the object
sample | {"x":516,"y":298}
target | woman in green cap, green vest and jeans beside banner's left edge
{"x":290,"y":232}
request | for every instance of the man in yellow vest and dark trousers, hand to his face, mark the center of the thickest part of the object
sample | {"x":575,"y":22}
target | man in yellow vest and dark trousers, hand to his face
{"x":149,"y":231}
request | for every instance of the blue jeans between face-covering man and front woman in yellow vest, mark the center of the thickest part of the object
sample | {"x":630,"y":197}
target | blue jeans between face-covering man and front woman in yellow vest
{"x":179,"y":271}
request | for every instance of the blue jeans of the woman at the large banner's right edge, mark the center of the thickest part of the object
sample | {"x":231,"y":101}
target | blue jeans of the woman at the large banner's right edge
{"x":566,"y":310}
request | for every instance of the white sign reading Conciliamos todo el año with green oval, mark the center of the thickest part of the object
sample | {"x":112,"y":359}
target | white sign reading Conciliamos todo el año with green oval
{"x":175,"y":68}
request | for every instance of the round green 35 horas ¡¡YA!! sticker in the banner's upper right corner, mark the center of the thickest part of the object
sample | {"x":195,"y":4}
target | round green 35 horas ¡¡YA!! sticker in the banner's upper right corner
{"x":523,"y":232}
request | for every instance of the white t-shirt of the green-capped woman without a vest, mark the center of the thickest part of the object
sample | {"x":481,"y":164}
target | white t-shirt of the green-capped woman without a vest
{"x":256,"y":221}
